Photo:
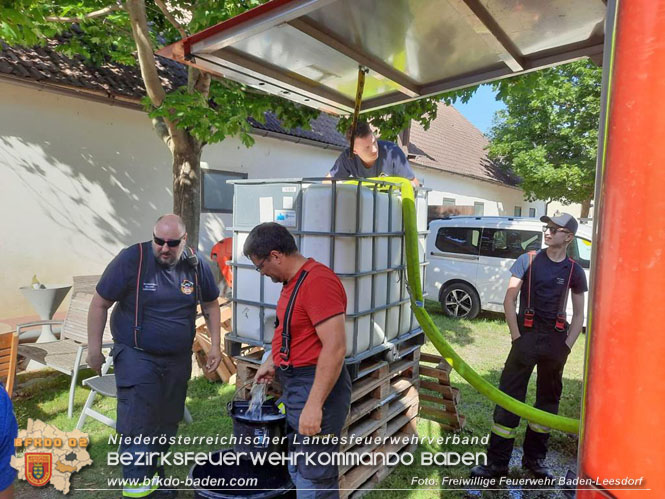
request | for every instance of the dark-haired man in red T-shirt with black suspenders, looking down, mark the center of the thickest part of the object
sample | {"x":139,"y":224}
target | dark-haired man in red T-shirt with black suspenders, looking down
{"x":309,"y":346}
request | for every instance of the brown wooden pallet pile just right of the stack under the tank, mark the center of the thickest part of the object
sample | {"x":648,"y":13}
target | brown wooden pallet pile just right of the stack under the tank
{"x":439,"y":400}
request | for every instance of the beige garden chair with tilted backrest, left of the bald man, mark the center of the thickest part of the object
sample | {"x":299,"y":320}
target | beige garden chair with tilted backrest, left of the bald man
{"x":67,"y":354}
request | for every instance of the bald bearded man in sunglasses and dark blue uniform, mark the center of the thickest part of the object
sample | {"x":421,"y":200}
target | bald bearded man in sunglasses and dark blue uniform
{"x":156,"y":285}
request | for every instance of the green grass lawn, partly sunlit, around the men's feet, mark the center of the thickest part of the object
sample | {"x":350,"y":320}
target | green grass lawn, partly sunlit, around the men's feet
{"x":484,"y":343}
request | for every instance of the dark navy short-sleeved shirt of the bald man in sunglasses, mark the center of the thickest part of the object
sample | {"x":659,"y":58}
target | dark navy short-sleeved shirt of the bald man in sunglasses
{"x":168,"y":295}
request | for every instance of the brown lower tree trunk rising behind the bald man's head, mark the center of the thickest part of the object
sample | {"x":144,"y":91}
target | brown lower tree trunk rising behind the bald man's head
{"x":187,"y":187}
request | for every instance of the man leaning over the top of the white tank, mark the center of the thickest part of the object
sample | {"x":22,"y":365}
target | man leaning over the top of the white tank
{"x":372,"y":158}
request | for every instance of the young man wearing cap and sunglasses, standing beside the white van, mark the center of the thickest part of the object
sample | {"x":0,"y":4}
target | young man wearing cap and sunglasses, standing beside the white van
{"x":541,"y":336}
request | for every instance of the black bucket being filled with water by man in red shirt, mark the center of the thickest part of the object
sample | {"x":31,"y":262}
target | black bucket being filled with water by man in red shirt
{"x":266,"y":434}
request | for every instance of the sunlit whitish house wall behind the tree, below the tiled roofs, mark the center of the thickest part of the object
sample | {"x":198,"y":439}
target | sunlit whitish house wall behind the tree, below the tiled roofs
{"x":81,"y":180}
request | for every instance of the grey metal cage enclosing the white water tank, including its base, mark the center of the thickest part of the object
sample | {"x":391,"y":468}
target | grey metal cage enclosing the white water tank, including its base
{"x":354,"y":228}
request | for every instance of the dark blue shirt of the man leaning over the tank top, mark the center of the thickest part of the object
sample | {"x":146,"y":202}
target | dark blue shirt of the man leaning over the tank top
{"x":391,"y":162}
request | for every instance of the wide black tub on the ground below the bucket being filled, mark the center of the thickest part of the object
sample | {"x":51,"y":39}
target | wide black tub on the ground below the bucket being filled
{"x":270,"y":481}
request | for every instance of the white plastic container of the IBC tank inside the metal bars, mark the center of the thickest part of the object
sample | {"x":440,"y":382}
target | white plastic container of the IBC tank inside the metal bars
{"x":362,"y":261}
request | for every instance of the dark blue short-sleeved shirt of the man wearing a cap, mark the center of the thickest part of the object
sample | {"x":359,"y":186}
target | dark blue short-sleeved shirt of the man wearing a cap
{"x":548,"y":282}
